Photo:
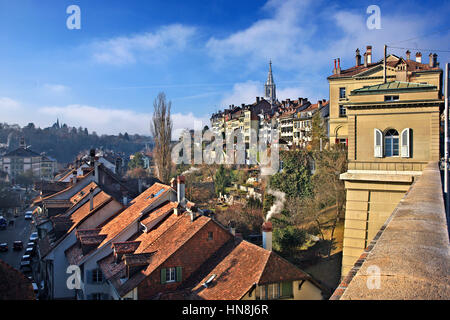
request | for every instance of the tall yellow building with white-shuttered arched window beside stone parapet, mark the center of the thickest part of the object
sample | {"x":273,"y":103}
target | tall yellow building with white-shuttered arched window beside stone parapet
{"x":392,"y":131}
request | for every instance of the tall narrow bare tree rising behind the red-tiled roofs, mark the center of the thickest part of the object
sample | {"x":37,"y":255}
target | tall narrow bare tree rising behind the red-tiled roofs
{"x":161,"y":129}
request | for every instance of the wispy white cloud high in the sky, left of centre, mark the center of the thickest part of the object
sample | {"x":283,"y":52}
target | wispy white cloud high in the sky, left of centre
{"x":146,"y":46}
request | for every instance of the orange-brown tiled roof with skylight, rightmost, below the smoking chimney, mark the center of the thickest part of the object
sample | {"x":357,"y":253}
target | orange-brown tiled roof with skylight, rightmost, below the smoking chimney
{"x":238,"y":267}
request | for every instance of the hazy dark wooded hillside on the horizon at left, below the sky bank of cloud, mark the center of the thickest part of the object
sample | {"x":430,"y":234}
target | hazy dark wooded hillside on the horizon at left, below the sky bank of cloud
{"x":64,"y":143}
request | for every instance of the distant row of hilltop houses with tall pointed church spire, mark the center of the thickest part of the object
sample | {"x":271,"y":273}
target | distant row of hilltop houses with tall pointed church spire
{"x":291,"y":118}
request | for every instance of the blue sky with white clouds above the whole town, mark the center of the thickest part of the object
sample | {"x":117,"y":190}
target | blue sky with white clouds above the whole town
{"x":204,"y":55}
